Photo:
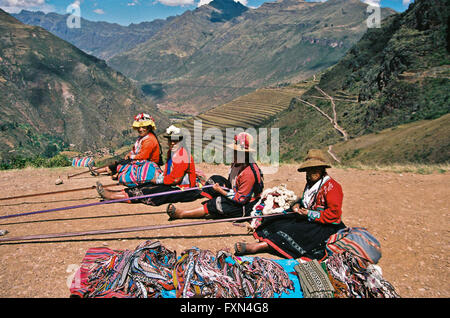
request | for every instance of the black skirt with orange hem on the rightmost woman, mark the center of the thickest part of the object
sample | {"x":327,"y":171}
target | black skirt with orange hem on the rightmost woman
{"x":293,"y":236}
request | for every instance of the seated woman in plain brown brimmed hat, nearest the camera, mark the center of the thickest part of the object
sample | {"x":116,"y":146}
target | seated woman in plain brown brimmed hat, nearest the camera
{"x":318,"y":216}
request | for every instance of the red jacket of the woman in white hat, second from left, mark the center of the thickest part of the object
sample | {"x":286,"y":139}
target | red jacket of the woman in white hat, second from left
{"x":180,"y":169}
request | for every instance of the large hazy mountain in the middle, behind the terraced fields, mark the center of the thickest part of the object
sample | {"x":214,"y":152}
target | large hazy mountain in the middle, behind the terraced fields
{"x":198,"y":60}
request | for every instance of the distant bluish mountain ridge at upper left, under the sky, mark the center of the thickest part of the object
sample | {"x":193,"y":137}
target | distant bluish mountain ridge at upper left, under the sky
{"x":101,"y":39}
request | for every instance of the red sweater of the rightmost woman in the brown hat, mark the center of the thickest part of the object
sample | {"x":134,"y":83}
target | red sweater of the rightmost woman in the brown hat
{"x":328,"y":205}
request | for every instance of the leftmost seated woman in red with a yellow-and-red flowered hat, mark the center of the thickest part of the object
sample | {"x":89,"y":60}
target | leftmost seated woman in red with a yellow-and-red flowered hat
{"x":146,"y":147}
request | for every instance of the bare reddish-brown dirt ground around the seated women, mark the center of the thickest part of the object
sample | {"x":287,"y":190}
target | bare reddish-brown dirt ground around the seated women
{"x":406,"y":212}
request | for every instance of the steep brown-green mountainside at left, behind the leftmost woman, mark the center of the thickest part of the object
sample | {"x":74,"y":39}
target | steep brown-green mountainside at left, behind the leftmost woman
{"x":53,"y":95}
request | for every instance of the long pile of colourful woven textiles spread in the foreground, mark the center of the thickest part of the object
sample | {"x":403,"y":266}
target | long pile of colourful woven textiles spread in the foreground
{"x":151,"y":270}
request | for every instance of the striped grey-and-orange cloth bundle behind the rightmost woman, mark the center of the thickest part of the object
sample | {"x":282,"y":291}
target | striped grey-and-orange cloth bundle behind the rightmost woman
{"x":356,"y":240}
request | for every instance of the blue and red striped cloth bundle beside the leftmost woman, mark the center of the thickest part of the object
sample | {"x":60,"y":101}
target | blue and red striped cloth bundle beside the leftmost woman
{"x":138,"y":172}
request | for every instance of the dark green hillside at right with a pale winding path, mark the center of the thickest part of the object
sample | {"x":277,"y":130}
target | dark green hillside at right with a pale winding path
{"x":396,"y":75}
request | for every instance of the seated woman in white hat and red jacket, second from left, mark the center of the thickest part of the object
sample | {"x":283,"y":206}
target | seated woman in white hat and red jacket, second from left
{"x":179,"y":173}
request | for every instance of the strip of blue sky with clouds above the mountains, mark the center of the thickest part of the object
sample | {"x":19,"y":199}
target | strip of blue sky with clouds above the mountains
{"x":134,"y":11}
